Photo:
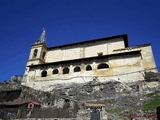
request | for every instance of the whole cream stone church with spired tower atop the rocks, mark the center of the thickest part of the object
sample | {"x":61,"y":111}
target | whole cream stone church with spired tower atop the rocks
{"x":108,"y":58}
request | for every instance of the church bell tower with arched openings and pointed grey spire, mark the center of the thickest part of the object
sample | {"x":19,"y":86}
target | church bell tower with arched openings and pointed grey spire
{"x":38,"y":51}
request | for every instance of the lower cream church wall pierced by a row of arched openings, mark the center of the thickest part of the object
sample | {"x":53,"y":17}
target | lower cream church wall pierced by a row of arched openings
{"x":121,"y":68}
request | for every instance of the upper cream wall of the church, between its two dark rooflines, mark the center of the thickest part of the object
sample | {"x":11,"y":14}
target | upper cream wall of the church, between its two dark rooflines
{"x":84,"y":50}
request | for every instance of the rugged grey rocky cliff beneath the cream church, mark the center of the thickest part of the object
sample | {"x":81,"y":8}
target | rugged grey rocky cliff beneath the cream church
{"x":121,"y":99}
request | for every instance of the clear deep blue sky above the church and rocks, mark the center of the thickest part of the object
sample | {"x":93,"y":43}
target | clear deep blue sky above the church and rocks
{"x":67,"y":21}
